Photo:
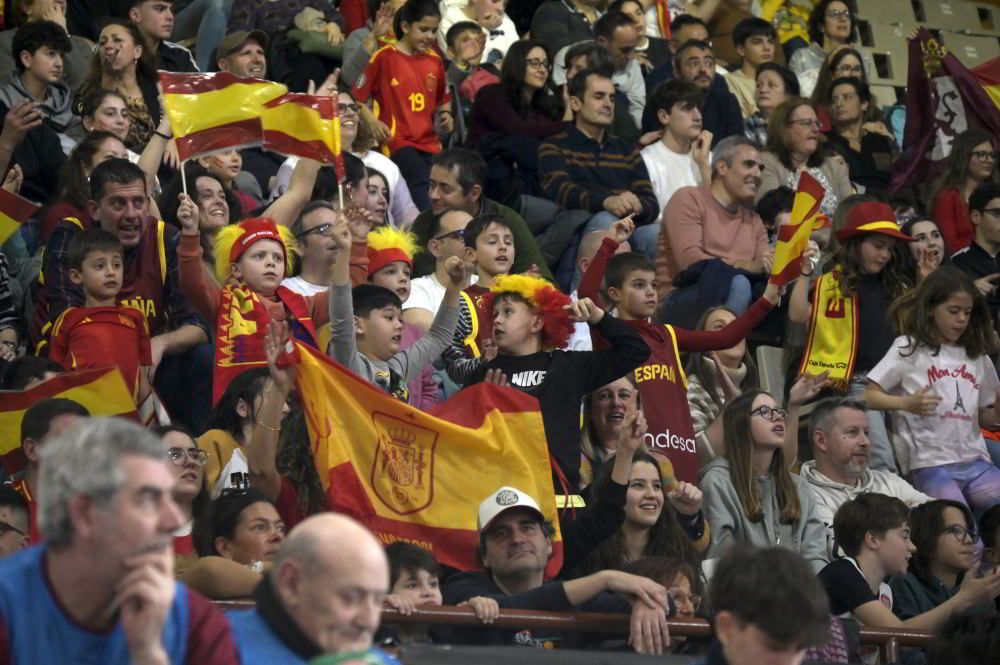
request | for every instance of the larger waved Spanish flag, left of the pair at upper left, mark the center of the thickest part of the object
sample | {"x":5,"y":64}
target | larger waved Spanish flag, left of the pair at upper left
{"x":216,"y":111}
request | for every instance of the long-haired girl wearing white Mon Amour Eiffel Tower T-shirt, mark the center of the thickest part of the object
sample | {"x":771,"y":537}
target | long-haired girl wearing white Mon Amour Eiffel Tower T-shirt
{"x":941,"y":384}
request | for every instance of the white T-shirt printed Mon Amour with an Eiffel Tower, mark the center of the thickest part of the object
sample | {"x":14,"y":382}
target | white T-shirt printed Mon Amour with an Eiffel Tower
{"x":951,"y":435}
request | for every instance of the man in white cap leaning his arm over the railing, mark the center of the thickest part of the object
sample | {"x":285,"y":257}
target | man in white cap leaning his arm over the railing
{"x":515,"y":545}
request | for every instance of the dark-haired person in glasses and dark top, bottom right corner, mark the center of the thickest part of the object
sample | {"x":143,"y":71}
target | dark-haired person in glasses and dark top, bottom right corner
{"x":948,"y":548}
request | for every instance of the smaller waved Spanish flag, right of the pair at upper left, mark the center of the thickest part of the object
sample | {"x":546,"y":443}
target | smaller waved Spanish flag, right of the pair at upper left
{"x":301,"y":125}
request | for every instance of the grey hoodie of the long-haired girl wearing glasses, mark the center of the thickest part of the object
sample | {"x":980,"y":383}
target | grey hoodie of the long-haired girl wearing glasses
{"x":730,"y":523}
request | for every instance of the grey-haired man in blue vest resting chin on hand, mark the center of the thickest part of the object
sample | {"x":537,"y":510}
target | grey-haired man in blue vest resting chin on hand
{"x":101,"y":588}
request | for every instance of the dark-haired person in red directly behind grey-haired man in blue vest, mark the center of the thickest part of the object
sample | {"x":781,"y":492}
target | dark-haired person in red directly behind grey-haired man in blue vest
{"x":48,"y":418}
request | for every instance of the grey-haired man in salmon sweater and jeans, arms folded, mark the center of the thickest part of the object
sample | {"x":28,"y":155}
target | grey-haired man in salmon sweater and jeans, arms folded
{"x":715,"y":248}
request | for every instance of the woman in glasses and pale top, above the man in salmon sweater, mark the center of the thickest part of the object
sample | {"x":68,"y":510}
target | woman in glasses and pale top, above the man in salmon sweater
{"x":793,"y":146}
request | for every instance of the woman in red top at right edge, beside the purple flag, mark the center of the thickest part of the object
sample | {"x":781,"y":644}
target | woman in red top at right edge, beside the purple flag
{"x":972,"y":163}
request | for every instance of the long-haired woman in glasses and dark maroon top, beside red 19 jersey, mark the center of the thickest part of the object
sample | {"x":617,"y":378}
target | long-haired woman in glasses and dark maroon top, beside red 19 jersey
{"x":510,"y":120}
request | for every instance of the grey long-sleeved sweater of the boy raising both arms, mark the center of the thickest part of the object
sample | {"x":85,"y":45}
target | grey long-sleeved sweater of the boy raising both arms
{"x":391,"y":375}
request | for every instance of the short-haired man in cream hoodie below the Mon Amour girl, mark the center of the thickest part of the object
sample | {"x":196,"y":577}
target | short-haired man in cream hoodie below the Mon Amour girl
{"x":838,"y":431}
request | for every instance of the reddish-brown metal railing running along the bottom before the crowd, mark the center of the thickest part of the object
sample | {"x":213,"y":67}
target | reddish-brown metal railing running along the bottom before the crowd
{"x":889,"y":640}
